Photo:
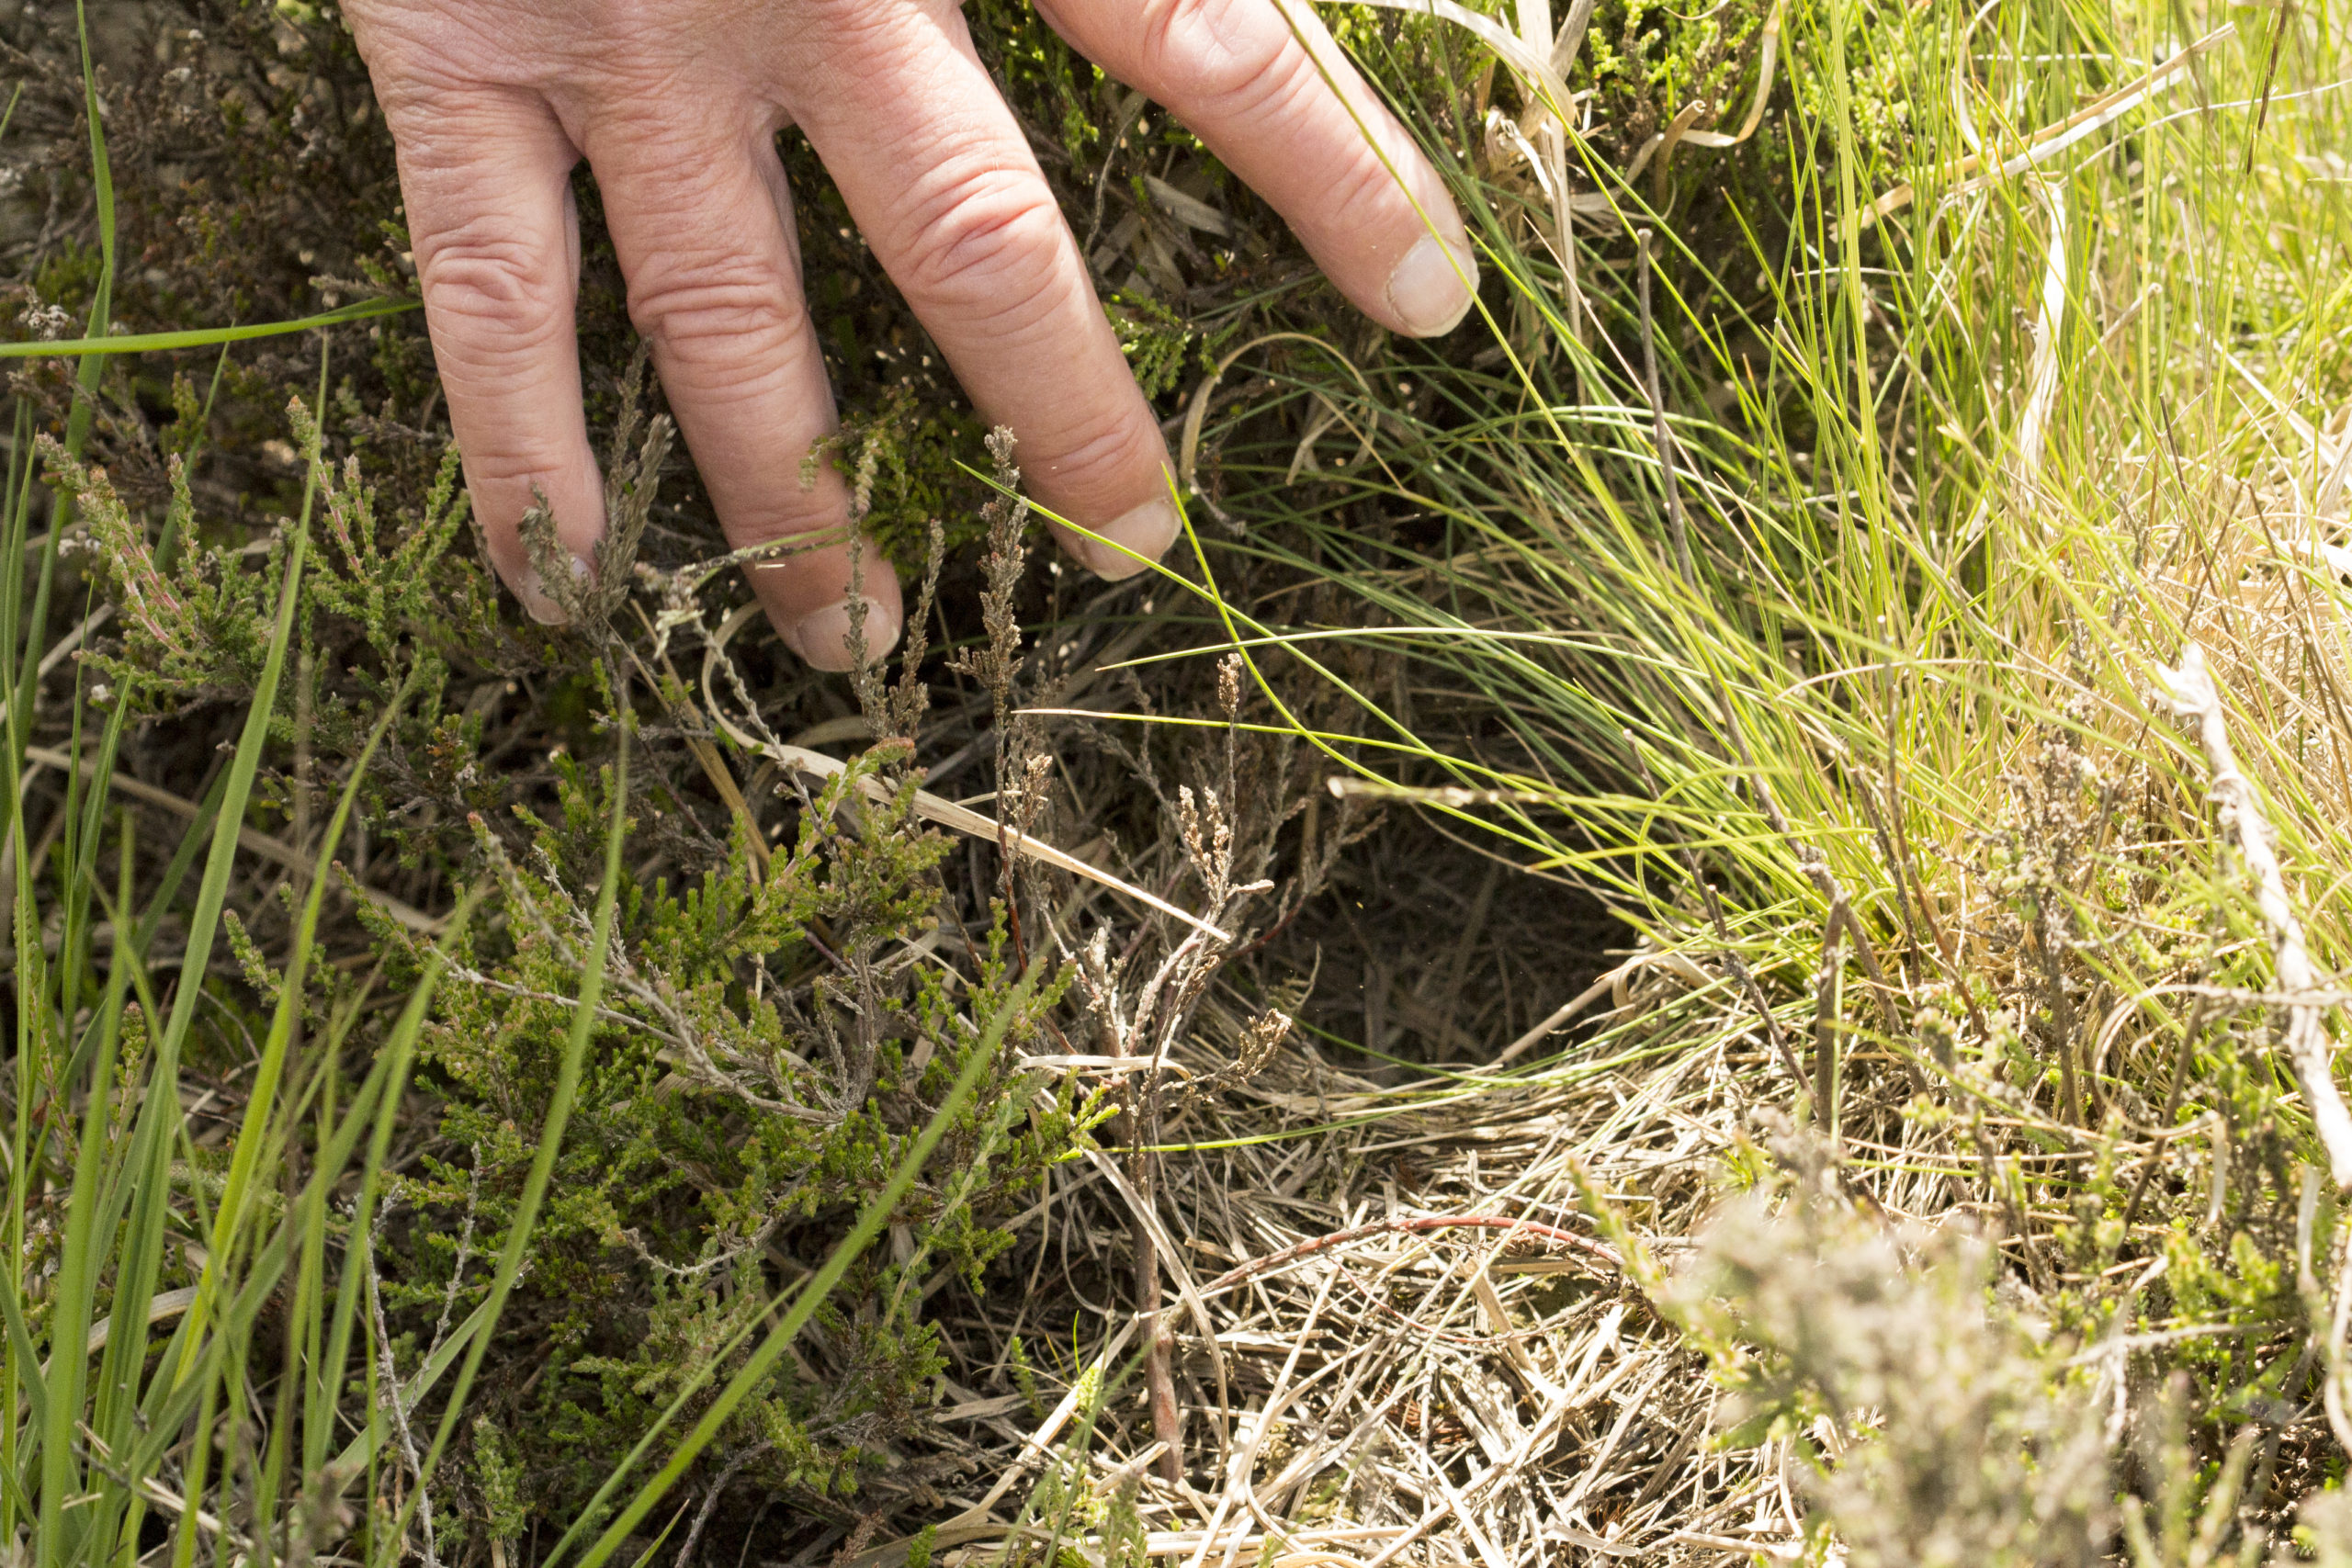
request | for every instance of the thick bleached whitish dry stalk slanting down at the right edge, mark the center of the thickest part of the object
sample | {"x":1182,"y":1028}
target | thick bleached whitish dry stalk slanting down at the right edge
{"x":2198,"y":702}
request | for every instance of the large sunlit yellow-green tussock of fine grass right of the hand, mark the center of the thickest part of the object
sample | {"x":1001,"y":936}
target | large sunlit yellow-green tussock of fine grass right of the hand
{"x":1984,"y":467}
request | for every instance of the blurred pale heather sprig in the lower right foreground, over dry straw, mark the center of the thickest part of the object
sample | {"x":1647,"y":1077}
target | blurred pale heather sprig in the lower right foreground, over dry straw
{"x":1935,"y":1421}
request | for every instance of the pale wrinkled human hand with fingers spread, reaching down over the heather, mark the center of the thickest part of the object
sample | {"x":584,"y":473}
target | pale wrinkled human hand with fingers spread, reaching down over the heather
{"x":676,"y":107}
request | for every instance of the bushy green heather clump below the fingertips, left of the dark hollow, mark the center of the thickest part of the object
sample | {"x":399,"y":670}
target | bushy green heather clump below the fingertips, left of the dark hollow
{"x":749,"y":1087}
